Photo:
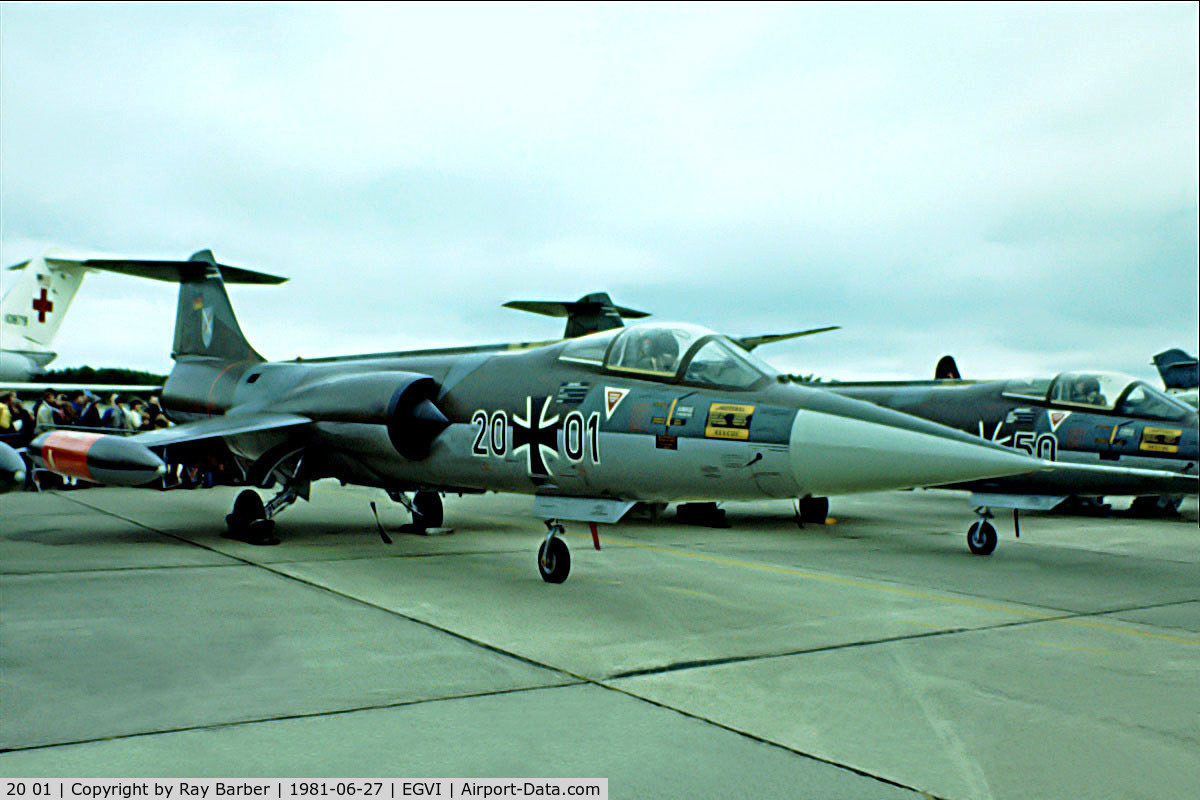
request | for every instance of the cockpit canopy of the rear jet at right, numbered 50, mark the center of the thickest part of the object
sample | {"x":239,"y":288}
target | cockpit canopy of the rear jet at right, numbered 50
{"x":1109,"y":392}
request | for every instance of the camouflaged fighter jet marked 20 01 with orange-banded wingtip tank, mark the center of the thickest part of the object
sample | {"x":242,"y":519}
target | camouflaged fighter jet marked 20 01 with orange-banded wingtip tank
{"x":590,"y":426}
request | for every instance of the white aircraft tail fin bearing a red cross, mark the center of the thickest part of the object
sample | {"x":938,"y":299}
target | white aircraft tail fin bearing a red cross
{"x":34,"y":306}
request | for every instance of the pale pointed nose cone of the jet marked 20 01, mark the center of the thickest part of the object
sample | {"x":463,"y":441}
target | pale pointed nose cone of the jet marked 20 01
{"x":839,"y":455}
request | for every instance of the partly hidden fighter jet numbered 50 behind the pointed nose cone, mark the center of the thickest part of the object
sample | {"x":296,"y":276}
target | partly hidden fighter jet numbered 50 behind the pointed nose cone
{"x":1107,"y":435}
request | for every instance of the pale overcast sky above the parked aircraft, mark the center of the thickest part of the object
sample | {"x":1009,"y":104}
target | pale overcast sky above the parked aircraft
{"x":1016,"y":185}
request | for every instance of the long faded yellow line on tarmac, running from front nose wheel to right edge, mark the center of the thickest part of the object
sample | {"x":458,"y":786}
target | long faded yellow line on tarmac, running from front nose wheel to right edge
{"x":904,"y":592}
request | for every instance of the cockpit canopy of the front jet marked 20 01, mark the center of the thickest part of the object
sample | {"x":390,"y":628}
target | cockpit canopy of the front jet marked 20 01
{"x":671,"y":352}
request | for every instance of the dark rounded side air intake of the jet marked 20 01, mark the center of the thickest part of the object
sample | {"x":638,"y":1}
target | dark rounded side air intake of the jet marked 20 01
{"x":401,"y":401}
